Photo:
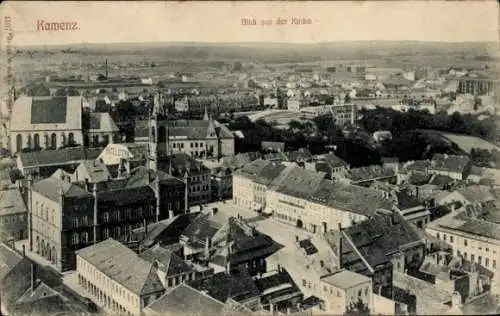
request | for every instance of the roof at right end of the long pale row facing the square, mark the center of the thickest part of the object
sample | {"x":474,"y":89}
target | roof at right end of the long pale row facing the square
{"x":351,"y":198}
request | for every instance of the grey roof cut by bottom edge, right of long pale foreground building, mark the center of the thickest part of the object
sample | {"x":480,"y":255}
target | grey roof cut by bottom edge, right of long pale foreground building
{"x":185,"y":300}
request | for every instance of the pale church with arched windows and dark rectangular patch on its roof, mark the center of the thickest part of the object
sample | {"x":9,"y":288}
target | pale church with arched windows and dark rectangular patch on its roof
{"x":45,"y":123}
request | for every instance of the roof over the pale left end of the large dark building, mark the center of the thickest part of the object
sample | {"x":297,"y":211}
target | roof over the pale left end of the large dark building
{"x":52,"y":188}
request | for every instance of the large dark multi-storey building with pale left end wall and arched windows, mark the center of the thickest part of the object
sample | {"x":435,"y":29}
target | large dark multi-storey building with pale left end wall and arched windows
{"x":65,"y":216}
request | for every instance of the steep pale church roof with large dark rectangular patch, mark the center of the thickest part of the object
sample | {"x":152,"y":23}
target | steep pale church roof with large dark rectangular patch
{"x":47,"y":113}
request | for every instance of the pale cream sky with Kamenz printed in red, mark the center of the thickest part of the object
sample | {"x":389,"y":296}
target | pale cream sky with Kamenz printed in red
{"x":136,"y":22}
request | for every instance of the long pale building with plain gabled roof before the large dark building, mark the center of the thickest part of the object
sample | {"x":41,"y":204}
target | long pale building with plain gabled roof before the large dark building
{"x":117,"y":278}
